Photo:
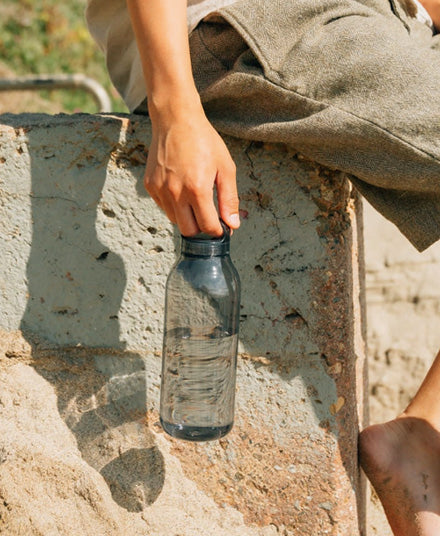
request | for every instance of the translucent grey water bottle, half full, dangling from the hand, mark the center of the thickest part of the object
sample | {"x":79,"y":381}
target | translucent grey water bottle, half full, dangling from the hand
{"x":200,"y":340}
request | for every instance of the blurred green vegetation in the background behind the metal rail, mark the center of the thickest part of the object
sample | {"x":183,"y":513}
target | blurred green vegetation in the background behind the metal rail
{"x":48,"y":37}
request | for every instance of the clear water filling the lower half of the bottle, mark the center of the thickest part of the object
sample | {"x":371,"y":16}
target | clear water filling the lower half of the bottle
{"x":198,"y":385}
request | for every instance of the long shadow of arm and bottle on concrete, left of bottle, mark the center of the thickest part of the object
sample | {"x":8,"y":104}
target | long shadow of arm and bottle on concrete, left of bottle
{"x":75,"y":288}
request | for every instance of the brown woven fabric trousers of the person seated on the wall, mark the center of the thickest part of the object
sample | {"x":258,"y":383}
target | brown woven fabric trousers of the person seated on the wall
{"x":351,"y":84}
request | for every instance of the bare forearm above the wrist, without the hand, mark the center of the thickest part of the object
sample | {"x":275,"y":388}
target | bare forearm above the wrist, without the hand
{"x":162,"y":38}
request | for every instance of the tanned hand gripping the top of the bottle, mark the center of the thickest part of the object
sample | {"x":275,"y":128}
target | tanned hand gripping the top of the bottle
{"x":187,"y":159}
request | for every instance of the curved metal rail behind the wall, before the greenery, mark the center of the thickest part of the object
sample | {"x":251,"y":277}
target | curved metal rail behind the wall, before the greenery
{"x":59,"y":81}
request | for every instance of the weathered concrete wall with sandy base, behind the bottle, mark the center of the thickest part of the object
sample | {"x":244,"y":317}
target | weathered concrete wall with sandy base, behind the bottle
{"x":85,"y":255}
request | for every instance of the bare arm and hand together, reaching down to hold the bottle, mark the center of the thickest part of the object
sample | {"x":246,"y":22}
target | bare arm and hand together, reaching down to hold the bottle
{"x":187,"y":158}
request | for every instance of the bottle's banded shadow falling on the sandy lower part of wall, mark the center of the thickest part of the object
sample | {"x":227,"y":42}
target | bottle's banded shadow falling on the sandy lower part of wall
{"x":102,"y":398}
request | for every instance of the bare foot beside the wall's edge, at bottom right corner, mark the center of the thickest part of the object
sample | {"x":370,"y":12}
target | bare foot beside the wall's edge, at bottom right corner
{"x":402,"y":460}
